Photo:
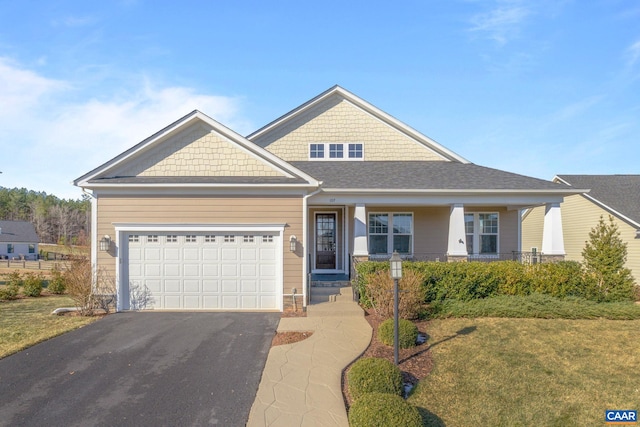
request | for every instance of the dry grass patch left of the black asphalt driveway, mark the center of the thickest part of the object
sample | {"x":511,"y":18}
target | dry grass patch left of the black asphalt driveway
{"x":28,"y":321}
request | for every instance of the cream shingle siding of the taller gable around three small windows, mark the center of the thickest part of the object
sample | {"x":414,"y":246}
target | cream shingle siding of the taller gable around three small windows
{"x":337,"y":120}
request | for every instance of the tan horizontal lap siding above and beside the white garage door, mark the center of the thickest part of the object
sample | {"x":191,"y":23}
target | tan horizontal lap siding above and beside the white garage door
{"x":205,"y":210}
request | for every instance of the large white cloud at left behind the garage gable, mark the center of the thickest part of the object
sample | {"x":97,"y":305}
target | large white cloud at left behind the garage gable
{"x":48,"y":140}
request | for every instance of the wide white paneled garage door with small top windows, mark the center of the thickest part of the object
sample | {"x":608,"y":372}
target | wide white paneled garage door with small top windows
{"x":199,"y":270}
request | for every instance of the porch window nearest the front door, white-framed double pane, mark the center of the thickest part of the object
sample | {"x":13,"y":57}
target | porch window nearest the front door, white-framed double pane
{"x":390,"y":232}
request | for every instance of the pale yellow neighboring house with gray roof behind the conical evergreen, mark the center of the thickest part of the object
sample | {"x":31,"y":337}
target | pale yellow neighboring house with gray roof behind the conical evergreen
{"x":615,"y":195}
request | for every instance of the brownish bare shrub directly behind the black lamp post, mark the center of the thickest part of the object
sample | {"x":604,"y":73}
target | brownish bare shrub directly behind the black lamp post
{"x":411,"y":293}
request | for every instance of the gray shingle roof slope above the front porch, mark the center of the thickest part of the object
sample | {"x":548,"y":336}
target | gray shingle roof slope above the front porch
{"x":419,"y":175}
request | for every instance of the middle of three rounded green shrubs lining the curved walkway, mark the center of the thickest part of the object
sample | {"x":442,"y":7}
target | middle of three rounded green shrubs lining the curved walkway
{"x":371,"y":375}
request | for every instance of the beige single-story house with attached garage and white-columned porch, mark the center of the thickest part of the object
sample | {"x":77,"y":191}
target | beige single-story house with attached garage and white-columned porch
{"x":199,"y":217}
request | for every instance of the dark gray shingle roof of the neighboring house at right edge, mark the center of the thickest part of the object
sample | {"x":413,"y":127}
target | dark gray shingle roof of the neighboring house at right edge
{"x":618,"y":192}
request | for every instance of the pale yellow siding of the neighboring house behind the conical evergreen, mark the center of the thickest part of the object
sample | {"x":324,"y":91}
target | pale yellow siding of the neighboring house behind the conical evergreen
{"x":579,"y":216}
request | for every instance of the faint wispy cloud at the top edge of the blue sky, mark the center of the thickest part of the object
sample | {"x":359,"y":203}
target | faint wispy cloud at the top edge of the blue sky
{"x":501,"y":23}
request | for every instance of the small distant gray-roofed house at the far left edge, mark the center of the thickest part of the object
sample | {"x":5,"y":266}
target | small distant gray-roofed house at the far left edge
{"x":18,"y":240}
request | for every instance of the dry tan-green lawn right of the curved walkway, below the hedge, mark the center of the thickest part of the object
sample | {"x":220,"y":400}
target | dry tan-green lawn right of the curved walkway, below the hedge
{"x":529,"y":372}
